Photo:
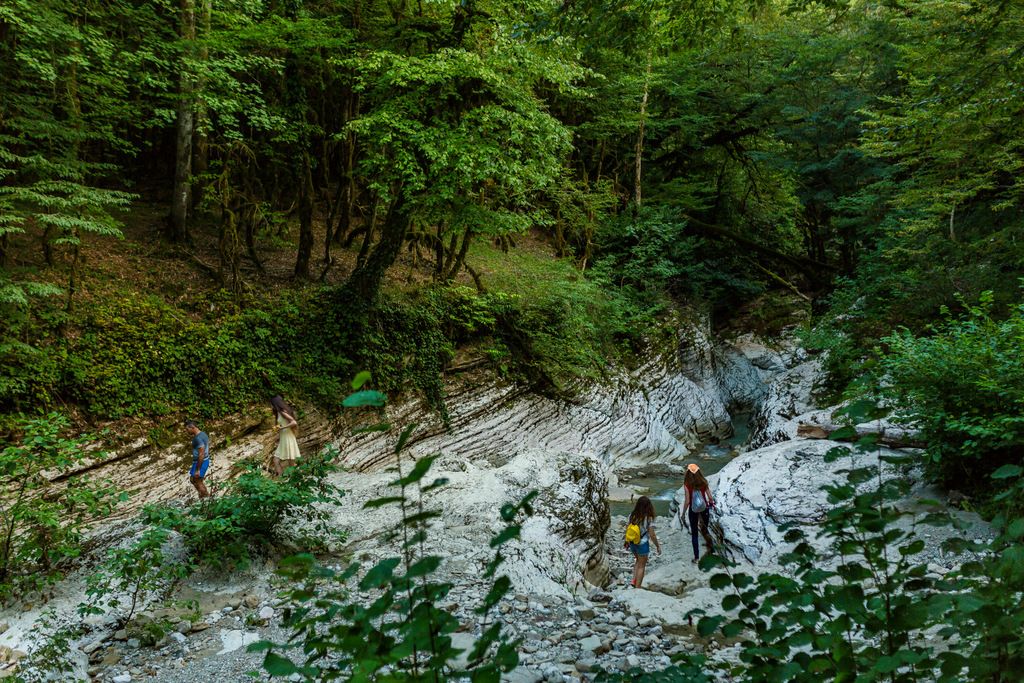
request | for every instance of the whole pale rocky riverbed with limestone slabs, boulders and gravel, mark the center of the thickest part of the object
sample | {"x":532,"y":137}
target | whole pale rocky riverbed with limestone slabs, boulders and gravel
{"x":571,"y":605}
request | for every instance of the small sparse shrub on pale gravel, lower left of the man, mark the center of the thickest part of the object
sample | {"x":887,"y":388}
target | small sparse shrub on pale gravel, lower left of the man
{"x":134,"y":573}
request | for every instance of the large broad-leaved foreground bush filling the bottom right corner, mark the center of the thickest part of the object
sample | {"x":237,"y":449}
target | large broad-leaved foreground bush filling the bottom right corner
{"x":871,"y":610}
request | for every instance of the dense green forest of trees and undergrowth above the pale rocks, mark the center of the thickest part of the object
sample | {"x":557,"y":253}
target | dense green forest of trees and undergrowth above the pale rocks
{"x":203,"y":201}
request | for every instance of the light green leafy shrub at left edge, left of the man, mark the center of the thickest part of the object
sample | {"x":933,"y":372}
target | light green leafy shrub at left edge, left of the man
{"x":45,"y":519}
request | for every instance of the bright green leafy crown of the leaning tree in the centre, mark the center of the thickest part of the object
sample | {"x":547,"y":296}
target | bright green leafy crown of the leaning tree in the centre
{"x":478,"y":162}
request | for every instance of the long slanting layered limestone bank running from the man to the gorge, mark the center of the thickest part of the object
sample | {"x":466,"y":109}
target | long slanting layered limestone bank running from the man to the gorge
{"x":657,"y":413}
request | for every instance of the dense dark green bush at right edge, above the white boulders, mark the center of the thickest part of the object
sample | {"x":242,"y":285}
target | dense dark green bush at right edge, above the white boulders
{"x":963,"y":386}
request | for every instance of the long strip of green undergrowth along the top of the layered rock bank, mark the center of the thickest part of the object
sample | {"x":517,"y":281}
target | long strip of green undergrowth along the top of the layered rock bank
{"x":130,"y":356}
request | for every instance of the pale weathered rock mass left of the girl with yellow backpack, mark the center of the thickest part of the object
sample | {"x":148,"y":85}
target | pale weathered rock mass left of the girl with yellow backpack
{"x":562,"y":543}
